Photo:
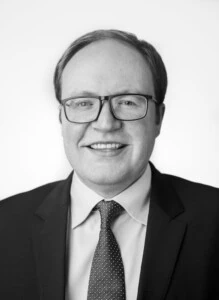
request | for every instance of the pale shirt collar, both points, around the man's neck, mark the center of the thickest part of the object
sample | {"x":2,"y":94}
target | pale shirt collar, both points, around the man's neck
{"x":134,"y":199}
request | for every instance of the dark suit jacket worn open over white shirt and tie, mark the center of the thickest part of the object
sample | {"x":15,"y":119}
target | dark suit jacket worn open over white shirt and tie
{"x":181,"y":255}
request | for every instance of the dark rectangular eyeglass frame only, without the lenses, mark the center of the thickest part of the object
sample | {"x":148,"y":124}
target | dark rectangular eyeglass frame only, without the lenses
{"x":108,"y":98}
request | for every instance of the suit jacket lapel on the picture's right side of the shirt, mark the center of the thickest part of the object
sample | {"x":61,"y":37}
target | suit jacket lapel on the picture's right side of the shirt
{"x":165,"y":233}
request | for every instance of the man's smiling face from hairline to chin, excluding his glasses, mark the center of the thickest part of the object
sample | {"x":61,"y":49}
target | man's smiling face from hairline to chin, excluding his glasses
{"x":105,"y":68}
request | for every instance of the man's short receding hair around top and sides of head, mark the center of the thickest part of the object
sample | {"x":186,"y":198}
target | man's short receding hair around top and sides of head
{"x":150,"y":54}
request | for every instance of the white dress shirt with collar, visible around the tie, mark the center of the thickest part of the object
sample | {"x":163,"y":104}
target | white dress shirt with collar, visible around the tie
{"x":129,"y":230}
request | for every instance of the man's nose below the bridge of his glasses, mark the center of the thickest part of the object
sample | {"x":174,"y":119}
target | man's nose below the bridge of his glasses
{"x":106,"y":121}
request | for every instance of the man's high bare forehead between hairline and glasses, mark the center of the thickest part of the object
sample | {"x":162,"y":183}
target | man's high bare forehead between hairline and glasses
{"x":107,"y":64}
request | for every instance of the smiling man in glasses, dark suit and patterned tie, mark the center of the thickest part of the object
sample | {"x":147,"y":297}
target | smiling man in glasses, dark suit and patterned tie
{"x":116,"y":228}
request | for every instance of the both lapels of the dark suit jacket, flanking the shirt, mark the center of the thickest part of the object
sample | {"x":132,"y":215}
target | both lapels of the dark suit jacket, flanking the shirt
{"x":165,"y":232}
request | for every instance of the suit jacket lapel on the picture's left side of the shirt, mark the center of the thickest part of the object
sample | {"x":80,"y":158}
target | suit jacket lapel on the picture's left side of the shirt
{"x":49,"y":241}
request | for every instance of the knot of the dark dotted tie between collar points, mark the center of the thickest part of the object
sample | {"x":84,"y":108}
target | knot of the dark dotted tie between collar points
{"x":109,"y":210}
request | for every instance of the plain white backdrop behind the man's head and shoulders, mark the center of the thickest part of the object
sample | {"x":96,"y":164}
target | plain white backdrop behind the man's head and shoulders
{"x":34,"y":35}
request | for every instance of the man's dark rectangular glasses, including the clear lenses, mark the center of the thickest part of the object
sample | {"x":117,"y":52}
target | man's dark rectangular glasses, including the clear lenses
{"x":125,"y":107}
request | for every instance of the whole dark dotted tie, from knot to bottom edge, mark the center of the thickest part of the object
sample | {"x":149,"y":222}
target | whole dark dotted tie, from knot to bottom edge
{"x":107,"y":280}
